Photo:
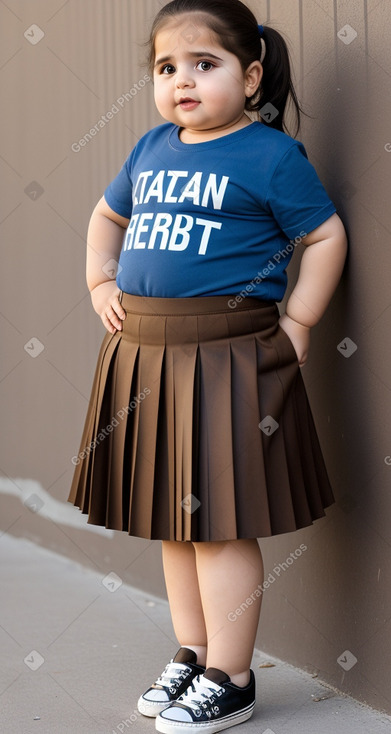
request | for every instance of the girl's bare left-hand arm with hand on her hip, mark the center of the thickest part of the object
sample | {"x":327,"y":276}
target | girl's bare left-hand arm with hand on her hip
{"x":104,"y":241}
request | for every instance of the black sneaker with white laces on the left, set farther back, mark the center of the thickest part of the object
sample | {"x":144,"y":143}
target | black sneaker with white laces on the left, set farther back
{"x":174,"y":681}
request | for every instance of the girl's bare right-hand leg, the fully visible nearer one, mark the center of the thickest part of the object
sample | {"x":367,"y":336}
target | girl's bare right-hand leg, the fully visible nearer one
{"x":229,"y":573}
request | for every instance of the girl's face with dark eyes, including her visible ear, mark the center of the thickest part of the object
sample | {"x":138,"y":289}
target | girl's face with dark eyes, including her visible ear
{"x":198,"y":85}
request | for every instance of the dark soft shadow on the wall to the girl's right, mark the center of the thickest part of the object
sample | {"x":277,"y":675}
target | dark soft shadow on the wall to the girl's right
{"x":350,"y":391}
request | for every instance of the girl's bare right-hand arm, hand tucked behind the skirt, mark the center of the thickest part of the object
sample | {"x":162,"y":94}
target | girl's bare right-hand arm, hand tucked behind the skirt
{"x":320,"y":270}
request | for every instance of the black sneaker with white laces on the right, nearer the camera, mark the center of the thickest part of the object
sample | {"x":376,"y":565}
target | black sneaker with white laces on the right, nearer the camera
{"x":211,"y":703}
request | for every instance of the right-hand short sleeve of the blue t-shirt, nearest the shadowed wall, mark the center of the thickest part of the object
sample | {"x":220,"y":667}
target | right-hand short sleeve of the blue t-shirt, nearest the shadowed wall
{"x":296,"y":196}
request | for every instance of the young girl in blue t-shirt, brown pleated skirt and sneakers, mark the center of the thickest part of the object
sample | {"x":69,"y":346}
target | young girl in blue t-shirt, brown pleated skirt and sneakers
{"x":199,"y":431}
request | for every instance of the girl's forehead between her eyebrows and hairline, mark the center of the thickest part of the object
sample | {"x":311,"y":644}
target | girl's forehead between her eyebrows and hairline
{"x":185,"y":33}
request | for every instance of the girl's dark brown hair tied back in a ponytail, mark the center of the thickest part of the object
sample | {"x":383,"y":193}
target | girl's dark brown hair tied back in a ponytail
{"x":237,"y":30}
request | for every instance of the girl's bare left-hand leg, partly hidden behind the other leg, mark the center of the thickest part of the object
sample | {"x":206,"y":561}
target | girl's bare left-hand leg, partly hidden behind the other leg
{"x":180,"y":575}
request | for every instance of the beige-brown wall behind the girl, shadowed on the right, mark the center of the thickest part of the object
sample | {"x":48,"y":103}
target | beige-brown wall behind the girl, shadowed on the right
{"x":334,"y":602}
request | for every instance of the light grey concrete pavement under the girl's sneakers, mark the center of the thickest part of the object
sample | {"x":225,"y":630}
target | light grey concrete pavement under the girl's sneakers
{"x":78,"y":649}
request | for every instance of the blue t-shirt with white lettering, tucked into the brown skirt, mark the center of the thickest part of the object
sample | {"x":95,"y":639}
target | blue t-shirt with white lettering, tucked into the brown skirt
{"x":214,"y":218}
